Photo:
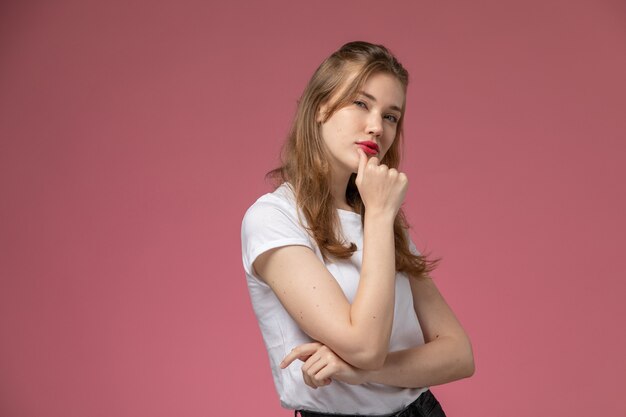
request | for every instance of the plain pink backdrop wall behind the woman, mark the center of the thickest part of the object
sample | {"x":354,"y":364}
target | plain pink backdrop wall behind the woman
{"x":134,"y":135}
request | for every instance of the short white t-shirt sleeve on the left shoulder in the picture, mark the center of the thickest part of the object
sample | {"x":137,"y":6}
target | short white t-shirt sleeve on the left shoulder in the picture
{"x":267,"y":225}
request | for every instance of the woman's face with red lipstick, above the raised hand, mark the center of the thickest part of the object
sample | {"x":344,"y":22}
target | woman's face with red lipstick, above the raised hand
{"x":369,"y":123}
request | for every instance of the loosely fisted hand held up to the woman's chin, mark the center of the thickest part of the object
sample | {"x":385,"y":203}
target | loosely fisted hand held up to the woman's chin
{"x":381,"y":188}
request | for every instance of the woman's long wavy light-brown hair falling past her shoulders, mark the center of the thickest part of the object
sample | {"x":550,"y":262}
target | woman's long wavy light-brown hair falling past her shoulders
{"x":305,"y":160}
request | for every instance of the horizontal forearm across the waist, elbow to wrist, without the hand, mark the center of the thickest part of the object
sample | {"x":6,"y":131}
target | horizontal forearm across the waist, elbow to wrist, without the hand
{"x":443,"y":360}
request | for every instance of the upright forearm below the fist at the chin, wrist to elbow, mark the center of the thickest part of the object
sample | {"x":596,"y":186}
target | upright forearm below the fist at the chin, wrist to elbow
{"x":372,"y":309}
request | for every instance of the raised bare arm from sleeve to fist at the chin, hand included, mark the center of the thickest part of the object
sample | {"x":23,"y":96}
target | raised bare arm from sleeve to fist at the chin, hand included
{"x":358,"y":332}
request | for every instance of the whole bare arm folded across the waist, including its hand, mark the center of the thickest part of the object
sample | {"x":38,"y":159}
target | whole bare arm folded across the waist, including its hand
{"x":446,"y":355}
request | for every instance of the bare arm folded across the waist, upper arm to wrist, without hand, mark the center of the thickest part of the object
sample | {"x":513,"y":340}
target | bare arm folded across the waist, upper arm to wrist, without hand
{"x":446,"y":355}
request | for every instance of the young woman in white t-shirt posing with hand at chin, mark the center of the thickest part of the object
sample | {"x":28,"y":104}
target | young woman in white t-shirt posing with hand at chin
{"x":352,"y":322}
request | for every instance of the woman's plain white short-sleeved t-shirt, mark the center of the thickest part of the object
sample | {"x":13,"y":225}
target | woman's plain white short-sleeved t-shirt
{"x":272,"y":222}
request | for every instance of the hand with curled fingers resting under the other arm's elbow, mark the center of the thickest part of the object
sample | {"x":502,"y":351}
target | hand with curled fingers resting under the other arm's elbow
{"x":321,"y":365}
